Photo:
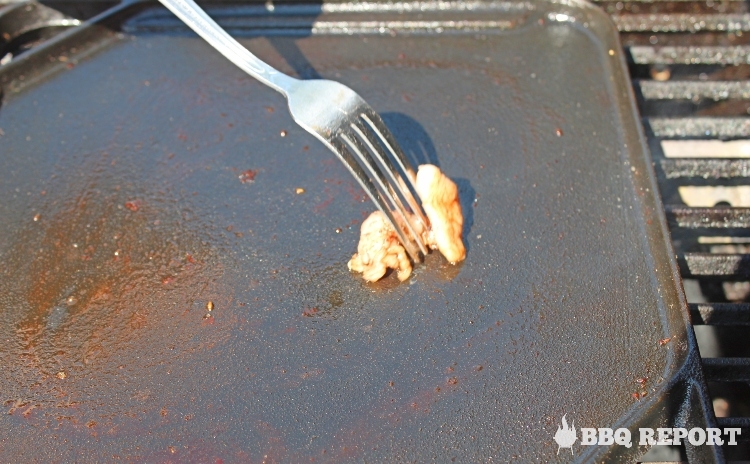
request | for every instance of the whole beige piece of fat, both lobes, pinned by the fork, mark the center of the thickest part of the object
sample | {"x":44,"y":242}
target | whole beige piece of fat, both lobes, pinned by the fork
{"x":379,"y":248}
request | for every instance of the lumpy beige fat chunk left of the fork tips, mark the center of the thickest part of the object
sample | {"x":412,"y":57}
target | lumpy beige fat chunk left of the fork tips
{"x":379,"y":250}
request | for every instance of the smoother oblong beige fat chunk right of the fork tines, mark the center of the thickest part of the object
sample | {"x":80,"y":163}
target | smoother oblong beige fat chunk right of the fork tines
{"x":440,"y":201}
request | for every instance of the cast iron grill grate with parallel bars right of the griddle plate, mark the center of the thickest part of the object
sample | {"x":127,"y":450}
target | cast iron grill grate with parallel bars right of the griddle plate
{"x":690,"y":64}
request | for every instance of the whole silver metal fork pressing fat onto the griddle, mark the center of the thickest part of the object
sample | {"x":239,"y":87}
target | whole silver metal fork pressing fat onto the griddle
{"x":339,"y":118}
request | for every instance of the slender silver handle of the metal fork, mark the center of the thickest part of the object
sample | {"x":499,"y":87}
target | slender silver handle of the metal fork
{"x":197,"y":19}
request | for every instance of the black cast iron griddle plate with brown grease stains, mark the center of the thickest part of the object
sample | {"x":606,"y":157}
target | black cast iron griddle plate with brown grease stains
{"x":124,"y":214}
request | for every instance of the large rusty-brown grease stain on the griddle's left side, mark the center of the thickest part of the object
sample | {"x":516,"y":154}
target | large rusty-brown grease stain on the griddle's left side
{"x":87,"y":303}
